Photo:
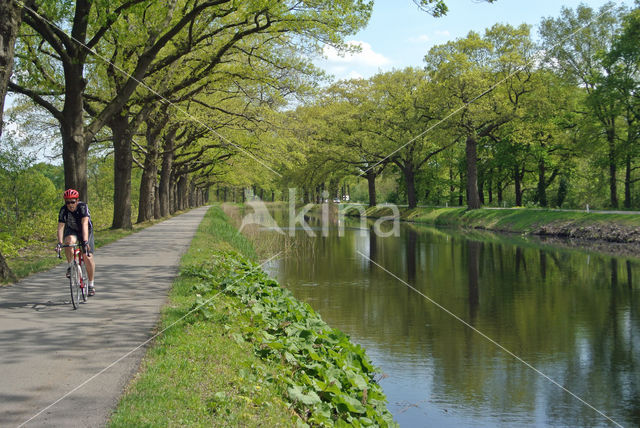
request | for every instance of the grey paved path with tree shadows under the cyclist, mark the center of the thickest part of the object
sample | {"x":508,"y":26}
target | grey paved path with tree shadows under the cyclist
{"x":47,"y":349}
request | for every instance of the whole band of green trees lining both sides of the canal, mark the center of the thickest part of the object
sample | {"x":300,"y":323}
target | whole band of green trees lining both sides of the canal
{"x":181,"y":95}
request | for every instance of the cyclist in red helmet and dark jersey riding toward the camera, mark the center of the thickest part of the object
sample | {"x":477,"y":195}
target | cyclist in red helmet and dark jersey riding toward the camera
{"x":74,"y":225}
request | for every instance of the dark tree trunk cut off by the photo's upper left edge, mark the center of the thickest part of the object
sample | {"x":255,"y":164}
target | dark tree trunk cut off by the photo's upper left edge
{"x":9,"y":25}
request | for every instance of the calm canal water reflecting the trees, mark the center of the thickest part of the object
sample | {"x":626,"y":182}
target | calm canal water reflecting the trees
{"x":574,"y":316}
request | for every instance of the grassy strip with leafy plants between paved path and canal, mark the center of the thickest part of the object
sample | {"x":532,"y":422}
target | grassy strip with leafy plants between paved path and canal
{"x":237,"y":349}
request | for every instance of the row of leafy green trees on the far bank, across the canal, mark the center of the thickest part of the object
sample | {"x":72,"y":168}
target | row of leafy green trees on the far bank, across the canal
{"x":490,"y":117}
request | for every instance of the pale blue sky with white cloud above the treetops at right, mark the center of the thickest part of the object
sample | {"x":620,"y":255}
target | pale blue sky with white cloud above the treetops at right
{"x":399,"y":34}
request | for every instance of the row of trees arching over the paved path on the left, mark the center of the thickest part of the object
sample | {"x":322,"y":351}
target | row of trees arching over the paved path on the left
{"x":177,"y":88}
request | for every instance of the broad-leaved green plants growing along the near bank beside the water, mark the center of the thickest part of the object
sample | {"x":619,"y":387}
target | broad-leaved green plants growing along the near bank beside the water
{"x":330,"y":380}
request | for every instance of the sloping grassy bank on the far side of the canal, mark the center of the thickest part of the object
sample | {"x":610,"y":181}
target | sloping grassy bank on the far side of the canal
{"x":586,"y":225}
